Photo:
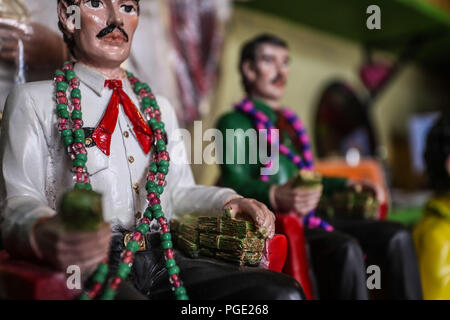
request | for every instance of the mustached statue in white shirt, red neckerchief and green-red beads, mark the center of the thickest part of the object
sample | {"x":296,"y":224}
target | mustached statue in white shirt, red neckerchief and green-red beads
{"x":97,"y":127}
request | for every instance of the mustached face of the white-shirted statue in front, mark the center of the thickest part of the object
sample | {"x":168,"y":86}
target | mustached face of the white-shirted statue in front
{"x":107,"y":30}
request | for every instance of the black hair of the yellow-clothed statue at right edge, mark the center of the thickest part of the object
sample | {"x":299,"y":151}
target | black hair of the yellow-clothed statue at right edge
{"x":436,"y":153}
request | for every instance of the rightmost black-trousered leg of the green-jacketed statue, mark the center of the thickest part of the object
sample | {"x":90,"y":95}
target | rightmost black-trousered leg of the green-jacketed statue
{"x":390,"y":246}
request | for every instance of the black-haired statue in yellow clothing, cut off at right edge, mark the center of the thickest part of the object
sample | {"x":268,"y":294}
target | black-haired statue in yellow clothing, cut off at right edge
{"x":432,"y":234}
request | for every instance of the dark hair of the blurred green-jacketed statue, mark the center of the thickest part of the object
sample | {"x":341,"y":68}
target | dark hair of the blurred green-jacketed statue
{"x":248,"y":52}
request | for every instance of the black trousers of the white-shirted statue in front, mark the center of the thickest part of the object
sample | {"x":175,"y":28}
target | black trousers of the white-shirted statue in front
{"x":203,"y":278}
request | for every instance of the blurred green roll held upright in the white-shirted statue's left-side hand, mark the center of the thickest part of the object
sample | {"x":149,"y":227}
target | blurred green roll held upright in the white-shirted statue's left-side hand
{"x":81,"y":210}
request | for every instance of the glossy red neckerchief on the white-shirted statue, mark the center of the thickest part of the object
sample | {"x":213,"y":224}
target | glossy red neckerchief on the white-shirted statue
{"x":102,"y":134}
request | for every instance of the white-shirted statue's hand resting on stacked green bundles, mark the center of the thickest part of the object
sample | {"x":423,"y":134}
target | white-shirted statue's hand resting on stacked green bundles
{"x":263,"y":218}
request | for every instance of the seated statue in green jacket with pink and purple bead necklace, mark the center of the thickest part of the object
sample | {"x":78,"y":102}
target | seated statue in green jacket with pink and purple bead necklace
{"x":337,"y":248}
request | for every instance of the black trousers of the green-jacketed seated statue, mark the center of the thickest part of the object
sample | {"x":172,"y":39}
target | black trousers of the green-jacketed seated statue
{"x":339,"y":260}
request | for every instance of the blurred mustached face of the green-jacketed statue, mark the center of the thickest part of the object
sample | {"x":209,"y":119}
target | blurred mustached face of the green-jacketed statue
{"x":268,"y":75}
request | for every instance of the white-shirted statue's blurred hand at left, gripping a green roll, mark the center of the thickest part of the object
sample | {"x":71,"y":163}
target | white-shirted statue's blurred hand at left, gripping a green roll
{"x":61,"y":248}
